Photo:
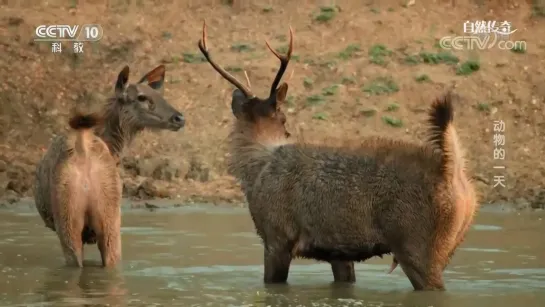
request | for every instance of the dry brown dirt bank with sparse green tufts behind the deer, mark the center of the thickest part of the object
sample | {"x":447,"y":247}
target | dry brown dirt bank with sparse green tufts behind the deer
{"x":359,"y":69}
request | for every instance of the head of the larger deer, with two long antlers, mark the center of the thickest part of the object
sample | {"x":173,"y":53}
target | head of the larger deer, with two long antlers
{"x":263,"y":116}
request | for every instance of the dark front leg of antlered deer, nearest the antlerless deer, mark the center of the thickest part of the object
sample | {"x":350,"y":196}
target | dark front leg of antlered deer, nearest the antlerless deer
{"x":277,"y":265}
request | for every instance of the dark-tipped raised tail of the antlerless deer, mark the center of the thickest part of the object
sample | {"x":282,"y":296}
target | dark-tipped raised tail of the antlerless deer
{"x":83,"y":125}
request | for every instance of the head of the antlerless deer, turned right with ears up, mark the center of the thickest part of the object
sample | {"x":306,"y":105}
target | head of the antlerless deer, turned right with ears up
{"x":143,"y":103}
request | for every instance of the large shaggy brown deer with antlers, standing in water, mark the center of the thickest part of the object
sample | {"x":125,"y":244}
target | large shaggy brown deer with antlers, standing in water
{"x":353,"y":202}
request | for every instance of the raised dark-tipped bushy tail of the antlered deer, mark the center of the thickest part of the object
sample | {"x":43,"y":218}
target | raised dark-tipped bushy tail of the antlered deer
{"x":443,"y":135}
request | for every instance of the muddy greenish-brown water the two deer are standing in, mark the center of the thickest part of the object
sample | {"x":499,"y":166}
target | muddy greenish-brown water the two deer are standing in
{"x":209,"y":256}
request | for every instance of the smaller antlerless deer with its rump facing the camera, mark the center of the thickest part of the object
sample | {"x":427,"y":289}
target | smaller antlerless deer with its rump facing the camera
{"x":78,"y":192}
